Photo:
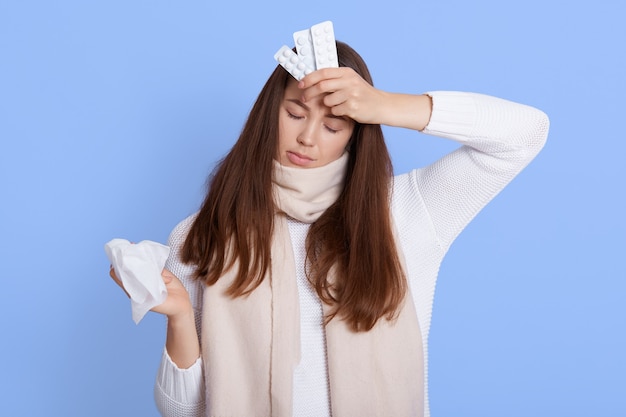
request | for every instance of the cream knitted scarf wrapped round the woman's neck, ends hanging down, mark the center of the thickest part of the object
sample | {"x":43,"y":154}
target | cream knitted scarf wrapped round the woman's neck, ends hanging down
{"x":251,"y":344}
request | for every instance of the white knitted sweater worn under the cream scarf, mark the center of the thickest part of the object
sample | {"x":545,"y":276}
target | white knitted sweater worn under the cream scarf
{"x":430,"y":207}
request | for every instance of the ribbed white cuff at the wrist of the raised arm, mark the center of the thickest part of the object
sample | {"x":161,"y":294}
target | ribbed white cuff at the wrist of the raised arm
{"x":453,"y":114}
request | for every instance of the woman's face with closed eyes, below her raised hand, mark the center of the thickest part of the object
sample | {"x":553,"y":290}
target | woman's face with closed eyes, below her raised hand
{"x":309,"y":136}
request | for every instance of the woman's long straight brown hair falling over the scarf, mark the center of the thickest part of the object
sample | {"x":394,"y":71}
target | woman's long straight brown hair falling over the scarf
{"x":354,"y":236}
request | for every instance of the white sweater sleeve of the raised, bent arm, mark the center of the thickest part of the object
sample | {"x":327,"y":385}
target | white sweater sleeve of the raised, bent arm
{"x":499,"y":139}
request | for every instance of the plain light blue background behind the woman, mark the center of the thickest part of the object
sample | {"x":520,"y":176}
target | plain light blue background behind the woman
{"x":113,"y":113}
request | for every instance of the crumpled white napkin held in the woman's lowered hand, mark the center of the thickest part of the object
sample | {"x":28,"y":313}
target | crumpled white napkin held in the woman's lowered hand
{"x":139,"y":267}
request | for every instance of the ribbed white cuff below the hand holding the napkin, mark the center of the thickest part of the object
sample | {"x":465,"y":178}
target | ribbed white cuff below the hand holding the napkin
{"x":184,"y":386}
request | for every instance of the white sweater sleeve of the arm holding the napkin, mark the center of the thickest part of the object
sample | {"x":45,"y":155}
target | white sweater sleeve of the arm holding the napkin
{"x":180,"y":392}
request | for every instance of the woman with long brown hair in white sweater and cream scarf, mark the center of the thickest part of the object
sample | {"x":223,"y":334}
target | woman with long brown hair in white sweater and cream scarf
{"x":304,"y":284}
